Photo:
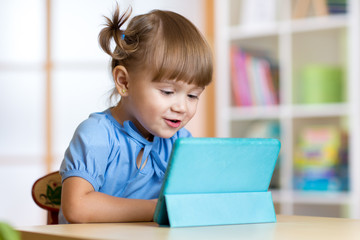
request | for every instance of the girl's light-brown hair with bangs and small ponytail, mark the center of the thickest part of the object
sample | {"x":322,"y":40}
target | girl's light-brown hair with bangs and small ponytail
{"x":163,"y":42}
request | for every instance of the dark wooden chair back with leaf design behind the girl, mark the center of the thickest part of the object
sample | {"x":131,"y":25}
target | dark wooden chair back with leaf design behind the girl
{"x":46,"y":192}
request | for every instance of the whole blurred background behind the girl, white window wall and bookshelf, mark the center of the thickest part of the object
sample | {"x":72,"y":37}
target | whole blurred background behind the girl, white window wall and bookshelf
{"x":285,"y":69}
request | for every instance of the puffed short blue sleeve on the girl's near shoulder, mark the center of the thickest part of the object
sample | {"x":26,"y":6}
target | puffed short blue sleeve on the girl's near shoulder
{"x":88,"y":153}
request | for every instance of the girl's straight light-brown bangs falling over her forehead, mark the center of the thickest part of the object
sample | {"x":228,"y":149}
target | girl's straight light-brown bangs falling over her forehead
{"x":180,"y":54}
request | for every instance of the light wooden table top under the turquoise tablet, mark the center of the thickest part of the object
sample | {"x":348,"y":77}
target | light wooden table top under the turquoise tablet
{"x":286,"y":227}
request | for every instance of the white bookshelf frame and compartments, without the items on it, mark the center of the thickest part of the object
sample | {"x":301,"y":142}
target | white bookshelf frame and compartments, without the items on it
{"x":293,"y":43}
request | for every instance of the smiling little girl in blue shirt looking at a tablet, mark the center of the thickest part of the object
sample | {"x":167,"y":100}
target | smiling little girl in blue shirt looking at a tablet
{"x":114,"y":166}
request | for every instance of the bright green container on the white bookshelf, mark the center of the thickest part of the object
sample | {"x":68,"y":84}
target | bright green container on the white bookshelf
{"x":321,"y":84}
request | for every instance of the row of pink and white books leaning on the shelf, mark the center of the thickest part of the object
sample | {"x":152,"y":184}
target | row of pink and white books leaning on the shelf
{"x":254,"y":79}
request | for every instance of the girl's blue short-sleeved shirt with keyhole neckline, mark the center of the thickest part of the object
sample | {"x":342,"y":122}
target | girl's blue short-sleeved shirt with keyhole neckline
{"x":104,"y":153}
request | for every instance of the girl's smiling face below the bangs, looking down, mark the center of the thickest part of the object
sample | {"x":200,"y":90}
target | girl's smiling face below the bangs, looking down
{"x":161,"y":108}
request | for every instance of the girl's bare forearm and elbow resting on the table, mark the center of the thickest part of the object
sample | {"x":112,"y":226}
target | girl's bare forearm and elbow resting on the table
{"x":80,"y":204}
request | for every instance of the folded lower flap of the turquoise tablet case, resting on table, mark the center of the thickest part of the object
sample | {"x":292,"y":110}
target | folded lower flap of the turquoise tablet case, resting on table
{"x":185,"y":210}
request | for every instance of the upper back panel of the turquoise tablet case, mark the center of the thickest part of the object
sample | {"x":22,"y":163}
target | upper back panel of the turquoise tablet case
{"x":217,"y":165}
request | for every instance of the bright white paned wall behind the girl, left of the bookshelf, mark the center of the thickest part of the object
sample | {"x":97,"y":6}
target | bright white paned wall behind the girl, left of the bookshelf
{"x":81,"y":80}
